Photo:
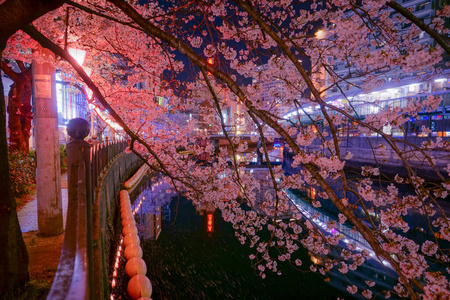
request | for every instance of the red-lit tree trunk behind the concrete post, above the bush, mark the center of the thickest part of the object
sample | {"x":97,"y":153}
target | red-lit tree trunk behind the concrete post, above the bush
{"x":19,"y":108}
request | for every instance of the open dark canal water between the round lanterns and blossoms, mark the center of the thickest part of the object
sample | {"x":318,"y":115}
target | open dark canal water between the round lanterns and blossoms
{"x":187,"y":262}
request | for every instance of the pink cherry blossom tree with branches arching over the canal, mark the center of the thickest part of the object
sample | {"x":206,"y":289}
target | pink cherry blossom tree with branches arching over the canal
{"x":129,"y":44}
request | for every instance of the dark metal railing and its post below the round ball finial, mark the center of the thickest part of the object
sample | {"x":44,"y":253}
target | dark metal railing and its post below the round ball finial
{"x":87,"y":163}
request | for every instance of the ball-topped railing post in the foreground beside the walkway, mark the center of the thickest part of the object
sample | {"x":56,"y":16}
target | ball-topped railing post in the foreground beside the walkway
{"x":73,"y":279}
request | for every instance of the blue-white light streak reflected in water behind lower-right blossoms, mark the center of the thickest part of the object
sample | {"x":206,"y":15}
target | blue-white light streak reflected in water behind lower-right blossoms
{"x":371,"y":271}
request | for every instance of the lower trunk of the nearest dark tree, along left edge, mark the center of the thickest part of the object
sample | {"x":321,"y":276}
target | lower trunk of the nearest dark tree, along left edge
{"x":13,"y":252}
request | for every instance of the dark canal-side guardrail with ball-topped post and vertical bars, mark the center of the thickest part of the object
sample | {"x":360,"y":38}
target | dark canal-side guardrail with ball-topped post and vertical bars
{"x":95,"y":174}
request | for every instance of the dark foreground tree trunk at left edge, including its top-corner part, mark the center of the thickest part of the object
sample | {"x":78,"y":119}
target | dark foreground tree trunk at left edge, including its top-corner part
{"x":13,"y":253}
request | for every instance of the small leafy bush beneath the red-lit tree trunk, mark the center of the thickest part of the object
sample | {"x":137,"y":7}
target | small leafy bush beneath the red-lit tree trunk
{"x":22,"y":171}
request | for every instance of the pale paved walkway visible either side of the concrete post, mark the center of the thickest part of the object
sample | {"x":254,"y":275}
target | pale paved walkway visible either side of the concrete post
{"x":28,"y":214}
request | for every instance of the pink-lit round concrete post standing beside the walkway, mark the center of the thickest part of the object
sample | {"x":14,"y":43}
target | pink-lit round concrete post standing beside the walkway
{"x":48,"y":172}
